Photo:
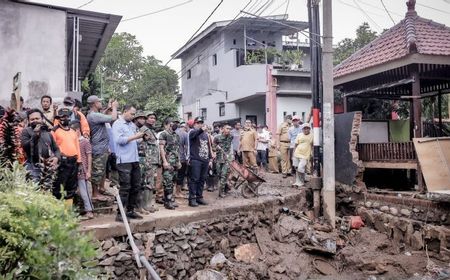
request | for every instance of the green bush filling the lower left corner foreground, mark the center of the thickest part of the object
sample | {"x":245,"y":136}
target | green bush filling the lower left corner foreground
{"x":38,"y":234}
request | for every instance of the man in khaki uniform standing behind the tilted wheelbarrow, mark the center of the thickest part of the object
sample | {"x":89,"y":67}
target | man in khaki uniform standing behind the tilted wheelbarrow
{"x":248,"y":142}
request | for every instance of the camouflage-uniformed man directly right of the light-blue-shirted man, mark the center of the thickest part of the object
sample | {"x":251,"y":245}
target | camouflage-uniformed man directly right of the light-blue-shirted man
{"x":149,"y":162}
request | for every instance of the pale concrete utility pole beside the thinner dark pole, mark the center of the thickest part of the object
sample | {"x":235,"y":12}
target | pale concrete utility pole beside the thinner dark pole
{"x":328,"y":191}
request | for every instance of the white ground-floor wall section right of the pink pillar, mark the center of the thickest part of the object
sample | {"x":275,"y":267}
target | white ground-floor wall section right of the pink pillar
{"x":293,"y":104}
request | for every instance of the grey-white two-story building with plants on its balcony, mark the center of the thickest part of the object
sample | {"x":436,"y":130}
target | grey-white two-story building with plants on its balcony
{"x":250,"y":68}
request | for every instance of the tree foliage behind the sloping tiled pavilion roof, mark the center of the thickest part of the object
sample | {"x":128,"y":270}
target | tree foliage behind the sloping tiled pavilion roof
{"x":348,"y":46}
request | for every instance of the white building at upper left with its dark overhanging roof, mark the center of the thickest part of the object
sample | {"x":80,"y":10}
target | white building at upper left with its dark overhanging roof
{"x":53,"y":48}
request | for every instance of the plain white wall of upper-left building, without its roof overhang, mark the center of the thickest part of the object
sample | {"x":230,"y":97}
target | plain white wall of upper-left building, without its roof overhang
{"x":32,"y":41}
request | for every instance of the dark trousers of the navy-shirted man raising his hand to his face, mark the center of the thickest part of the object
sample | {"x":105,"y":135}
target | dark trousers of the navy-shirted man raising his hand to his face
{"x":198,"y":172}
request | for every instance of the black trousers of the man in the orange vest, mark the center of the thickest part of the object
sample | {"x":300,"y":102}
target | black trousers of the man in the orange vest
{"x":66,"y":177}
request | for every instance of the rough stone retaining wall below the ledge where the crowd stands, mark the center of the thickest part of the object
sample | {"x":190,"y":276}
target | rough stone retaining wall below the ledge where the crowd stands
{"x":181,"y":251}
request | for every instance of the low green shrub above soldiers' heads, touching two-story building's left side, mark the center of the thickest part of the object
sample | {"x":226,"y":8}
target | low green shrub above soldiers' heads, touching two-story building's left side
{"x":163,"y":105}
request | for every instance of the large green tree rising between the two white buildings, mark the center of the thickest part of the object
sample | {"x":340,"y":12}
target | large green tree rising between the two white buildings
{"x":125,"y":74}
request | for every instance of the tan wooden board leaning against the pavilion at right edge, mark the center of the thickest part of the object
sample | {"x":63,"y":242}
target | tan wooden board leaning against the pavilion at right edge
{"x":434,"y":157}
